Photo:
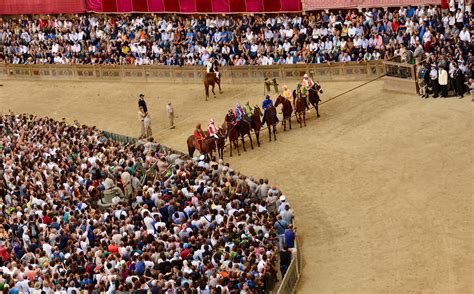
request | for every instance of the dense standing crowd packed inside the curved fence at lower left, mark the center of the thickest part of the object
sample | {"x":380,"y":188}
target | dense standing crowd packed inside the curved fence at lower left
{"x":193,"y":226}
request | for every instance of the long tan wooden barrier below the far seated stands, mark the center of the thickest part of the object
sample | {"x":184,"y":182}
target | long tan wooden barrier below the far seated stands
{"x":192,"y":74}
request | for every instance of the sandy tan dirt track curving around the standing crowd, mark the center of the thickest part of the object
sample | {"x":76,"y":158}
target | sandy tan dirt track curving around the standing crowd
{"x":381,"y":184}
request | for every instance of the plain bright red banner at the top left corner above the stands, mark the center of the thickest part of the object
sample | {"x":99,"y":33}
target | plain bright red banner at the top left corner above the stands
{"x":41,"y":6}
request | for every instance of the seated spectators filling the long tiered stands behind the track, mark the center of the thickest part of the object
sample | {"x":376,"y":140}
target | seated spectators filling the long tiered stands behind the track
{"x":316,"y":37}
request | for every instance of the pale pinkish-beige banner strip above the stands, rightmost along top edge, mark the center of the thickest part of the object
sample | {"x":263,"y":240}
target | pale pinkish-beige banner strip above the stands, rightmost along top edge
{"x":331,"y":4}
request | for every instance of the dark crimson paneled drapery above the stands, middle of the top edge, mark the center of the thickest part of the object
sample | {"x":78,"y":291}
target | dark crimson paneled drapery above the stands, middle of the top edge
{"x":193,"y":6}
